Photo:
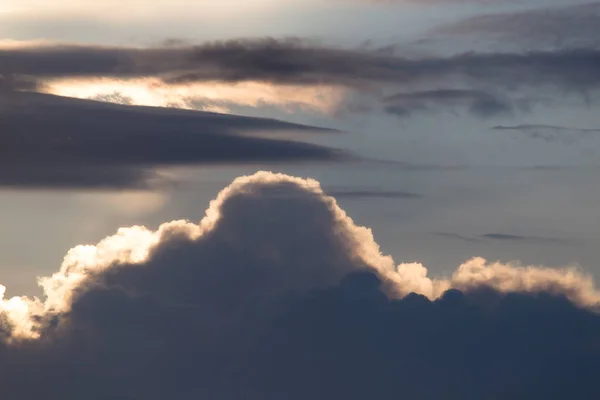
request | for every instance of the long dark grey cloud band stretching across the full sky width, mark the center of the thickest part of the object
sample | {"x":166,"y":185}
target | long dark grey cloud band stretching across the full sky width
{"x":296,"y":62}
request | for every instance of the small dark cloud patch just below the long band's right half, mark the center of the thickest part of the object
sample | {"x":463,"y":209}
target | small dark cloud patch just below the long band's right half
{"x":477,"y":103}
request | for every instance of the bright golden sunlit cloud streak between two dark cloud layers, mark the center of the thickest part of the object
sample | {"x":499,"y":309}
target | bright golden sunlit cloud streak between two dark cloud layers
{"x":207,"y":96}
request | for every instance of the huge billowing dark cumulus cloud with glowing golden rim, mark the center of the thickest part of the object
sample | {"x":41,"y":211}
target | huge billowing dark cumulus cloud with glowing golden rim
{"x":276,"y":293}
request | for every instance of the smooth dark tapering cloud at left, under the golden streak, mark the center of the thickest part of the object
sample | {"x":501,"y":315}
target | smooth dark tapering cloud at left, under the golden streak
{"x":56,"y":142}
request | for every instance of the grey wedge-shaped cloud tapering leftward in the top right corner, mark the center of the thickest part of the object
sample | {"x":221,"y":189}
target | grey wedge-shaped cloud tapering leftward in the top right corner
{"x":574,"y":26}
